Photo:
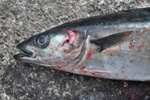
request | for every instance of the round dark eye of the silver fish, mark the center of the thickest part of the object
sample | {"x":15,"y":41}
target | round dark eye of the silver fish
{"x":42,"y":41}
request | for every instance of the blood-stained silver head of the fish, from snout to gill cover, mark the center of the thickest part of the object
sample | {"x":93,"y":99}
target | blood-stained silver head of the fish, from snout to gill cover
{"x":51,"y":48}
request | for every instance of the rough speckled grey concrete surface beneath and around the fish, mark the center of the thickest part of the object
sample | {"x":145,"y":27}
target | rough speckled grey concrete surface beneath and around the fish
{"x":20,"y":19}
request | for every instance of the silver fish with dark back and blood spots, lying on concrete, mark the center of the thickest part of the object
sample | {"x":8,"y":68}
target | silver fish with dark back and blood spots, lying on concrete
{"x":112,"y":46}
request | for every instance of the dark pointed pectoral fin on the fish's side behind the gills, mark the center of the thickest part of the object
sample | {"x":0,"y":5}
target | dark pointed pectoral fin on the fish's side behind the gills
{"x":112,"y":40}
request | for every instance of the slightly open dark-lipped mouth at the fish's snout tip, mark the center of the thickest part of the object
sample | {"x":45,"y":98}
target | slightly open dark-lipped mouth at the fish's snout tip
{"x":26,"y":53}
